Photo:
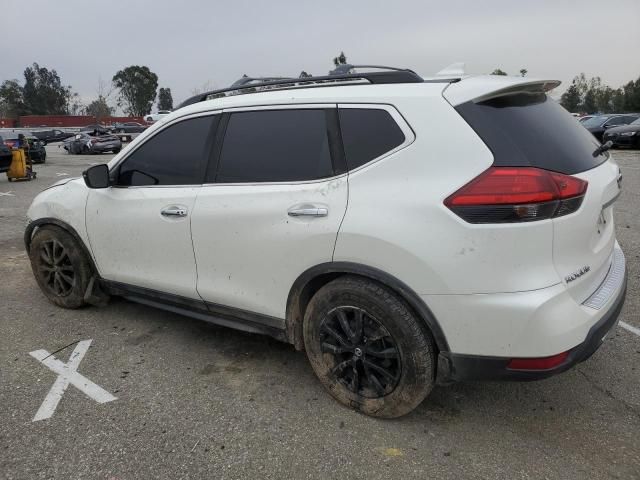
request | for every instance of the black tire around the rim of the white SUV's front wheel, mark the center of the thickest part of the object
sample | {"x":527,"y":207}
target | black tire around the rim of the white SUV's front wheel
{"x":81,"y":266}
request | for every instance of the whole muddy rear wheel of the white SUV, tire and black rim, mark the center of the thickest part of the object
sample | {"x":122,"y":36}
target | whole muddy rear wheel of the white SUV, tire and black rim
{"x":368,"y":348}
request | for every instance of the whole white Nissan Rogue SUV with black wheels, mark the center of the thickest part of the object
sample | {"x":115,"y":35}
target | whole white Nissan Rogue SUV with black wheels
{"x":402,"y":231}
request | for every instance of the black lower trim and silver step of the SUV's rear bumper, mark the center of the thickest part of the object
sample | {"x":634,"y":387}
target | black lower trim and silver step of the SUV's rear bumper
{"x":607,"y":301}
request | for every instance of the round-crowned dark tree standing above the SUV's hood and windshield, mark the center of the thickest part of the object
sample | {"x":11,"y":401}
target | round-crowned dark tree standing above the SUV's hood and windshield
{"x":137,"y":89}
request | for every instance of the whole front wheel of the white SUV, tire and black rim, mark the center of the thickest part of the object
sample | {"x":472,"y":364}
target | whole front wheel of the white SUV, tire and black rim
{"x":60,"y":266}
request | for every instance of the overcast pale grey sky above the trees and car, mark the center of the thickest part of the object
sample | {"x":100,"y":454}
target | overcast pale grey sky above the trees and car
{"x":195,"y":43}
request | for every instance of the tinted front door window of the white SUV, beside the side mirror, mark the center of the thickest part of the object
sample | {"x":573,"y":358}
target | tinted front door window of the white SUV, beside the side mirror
{"x":175,"y":156}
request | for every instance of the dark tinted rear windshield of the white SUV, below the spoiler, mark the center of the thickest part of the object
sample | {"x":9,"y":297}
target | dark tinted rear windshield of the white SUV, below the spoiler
{"x":532,"y":130}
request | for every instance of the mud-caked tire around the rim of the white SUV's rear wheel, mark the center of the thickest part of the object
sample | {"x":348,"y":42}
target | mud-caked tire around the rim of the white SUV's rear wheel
{"x":413,"y":341}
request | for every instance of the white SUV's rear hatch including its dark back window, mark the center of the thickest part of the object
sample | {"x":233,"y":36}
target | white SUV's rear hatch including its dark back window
{"x":523,"y":127}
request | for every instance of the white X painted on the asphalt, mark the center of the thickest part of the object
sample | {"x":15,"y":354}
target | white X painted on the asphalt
{"x":67,"y":374}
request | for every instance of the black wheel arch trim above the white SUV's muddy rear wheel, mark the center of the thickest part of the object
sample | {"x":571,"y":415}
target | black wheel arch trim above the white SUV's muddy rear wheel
{"x":314,"y":278}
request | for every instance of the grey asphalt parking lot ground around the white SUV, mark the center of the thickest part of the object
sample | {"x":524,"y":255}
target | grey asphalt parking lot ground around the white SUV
{"x":199,"y":401}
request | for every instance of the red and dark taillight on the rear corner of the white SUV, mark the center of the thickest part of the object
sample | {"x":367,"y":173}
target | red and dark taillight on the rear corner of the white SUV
{"x":517,"y":194}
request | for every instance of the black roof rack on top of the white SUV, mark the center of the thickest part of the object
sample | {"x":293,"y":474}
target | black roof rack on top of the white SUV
{"x":341,"y":75}
